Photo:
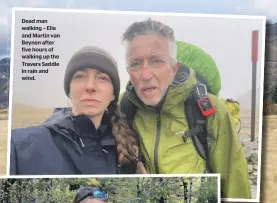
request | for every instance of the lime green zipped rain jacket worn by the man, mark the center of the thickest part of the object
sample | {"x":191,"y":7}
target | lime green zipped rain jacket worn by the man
{"x":165,"y":152}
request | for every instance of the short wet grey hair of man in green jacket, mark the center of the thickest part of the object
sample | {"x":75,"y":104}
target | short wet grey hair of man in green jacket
{"x":150,"y":26}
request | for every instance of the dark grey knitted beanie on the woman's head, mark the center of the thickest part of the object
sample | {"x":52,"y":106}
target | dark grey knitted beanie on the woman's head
{"x":92,"y":57}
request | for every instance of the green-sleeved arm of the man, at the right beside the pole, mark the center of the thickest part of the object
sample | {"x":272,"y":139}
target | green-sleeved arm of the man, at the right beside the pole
{"x":227,"y":154}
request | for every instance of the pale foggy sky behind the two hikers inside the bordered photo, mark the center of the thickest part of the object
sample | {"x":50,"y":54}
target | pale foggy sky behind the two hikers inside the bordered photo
{"x":227,"y":40}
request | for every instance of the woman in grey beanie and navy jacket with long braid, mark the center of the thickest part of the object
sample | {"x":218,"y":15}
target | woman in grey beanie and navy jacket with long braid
{"x":90,"y":137}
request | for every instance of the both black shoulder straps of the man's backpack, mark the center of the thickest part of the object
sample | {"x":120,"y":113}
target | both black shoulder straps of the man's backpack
{"x":196,"y":121}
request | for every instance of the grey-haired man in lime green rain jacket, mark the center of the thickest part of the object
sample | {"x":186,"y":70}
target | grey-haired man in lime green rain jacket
{"x":158,"y":89}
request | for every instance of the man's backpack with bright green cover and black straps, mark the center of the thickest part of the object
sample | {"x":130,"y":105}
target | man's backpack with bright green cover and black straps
{"x":207,"y":76}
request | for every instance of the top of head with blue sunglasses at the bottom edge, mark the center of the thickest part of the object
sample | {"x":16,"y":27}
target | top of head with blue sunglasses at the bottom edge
{"x":90,"y":195}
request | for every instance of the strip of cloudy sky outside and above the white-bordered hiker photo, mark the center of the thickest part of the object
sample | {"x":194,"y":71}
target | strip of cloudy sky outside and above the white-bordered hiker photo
{"x":246,"y":7}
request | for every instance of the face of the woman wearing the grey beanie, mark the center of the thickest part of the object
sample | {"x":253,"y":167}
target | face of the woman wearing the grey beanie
{"x":91,"y":92}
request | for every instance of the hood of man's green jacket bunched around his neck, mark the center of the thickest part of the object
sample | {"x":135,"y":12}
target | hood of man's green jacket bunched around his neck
{"x":178,"y":91}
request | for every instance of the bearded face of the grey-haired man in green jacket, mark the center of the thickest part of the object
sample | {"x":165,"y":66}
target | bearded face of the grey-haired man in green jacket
{"x":149,"y":65}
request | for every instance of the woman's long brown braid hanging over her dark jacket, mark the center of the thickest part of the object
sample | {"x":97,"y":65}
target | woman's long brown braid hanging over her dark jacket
{"x":127,"y":146}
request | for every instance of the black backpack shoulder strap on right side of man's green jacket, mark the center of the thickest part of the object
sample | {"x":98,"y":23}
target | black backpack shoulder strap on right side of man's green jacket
{"x":198,"y":130}
